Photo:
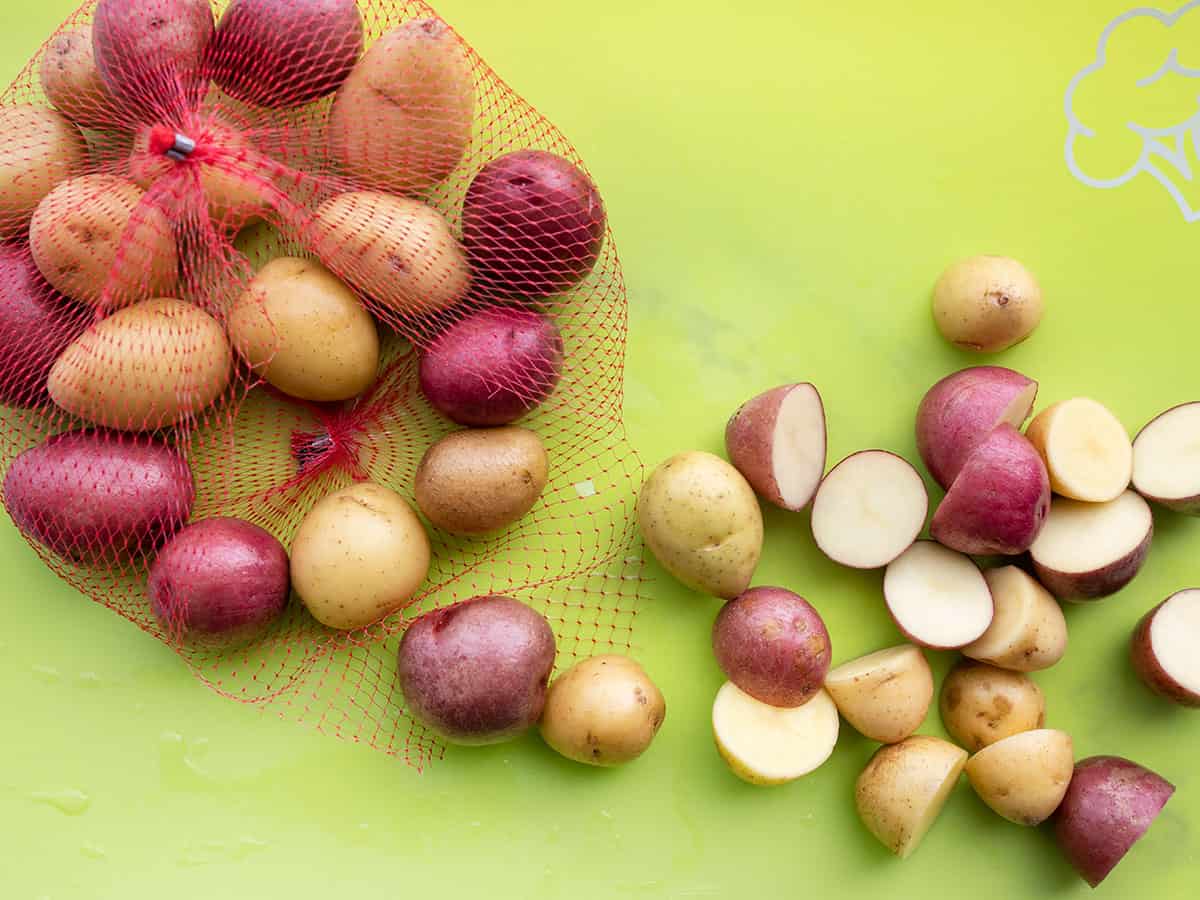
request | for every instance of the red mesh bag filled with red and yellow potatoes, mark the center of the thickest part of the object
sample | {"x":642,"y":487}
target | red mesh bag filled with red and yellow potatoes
{"x":262,"y":256}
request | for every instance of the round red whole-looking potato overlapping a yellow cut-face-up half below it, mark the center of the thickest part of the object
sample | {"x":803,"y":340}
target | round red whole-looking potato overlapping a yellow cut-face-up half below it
{"x":773,"y":645}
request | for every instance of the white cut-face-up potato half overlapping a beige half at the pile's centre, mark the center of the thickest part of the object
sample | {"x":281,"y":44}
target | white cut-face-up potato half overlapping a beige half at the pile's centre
{"x":938,"y":598}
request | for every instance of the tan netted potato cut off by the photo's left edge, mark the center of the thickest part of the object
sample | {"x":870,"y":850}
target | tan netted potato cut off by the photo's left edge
{"x":39,"y":149}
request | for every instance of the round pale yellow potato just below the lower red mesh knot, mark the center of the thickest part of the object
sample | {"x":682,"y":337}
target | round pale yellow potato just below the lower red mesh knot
{"x":359,"y":556}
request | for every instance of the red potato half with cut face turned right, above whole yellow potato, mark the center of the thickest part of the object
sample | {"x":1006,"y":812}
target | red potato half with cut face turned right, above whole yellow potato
{"x":778,"y":442}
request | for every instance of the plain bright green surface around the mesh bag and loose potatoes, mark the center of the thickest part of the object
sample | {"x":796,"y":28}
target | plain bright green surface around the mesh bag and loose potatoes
{"x":785,"y":185}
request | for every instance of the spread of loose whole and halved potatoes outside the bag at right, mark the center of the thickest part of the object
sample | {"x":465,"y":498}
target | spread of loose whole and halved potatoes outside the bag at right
{"x":1066,"y":502}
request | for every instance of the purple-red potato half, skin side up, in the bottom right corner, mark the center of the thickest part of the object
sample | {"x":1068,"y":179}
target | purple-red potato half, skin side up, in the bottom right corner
{"x":1109,"y":806}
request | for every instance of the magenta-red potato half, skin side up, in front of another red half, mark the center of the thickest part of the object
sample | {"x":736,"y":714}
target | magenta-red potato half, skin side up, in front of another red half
{"x":999,"y":501}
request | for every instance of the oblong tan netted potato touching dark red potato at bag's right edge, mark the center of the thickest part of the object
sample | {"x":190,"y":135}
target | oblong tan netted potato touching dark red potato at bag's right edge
{"x":398,"y":251}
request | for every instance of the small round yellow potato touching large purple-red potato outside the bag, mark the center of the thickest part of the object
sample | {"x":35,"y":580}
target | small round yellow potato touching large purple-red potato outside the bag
{"x":604,"y":711}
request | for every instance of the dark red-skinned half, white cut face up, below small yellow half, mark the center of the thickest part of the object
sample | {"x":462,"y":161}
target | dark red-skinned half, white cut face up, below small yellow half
{"x":1088,"y":551}
